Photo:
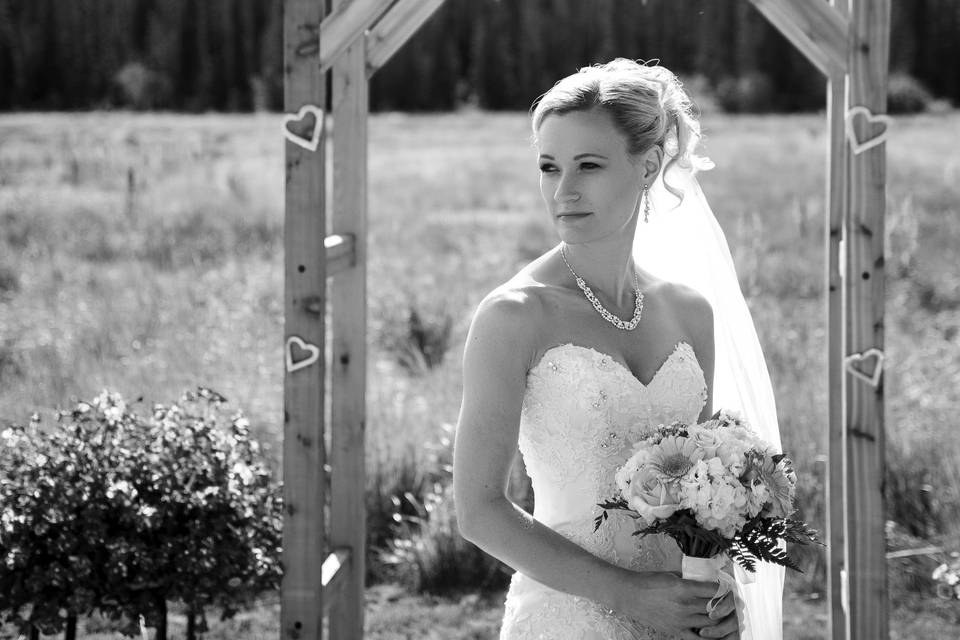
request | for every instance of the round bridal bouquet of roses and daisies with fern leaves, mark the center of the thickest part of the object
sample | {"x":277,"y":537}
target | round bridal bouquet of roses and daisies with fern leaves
{"x":718,"y":490}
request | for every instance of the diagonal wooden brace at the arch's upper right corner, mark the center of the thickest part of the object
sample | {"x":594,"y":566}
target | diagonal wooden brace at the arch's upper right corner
{"x":814,"y":27}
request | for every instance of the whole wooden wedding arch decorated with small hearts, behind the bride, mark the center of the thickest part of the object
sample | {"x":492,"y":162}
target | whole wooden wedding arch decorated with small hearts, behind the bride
{"x":328,"y":59}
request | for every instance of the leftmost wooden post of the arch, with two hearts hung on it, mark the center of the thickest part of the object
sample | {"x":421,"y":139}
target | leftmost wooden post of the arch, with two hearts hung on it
{"x":304,"y":295}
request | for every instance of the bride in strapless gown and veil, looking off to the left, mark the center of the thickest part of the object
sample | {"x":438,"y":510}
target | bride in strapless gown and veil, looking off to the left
{"x":618,"y":327}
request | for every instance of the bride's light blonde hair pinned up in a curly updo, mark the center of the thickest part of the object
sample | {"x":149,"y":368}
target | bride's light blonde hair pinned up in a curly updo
{"x":646,"y":102}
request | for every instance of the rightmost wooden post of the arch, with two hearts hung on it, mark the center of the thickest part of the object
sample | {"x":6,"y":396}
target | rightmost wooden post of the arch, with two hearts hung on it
{"x":864,"y":290}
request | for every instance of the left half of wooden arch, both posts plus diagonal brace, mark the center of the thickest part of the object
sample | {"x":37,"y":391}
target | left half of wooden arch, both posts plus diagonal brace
{"x":312,"y":563}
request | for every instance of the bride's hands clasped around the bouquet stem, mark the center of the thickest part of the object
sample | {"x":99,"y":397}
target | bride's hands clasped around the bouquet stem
{"x":674,"y":606}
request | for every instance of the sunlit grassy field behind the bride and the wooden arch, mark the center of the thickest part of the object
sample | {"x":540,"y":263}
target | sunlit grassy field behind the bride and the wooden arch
{"x":144,"y":253}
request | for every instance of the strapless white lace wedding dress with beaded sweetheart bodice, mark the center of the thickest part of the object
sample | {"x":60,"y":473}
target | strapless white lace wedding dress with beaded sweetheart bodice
{"x":582,"y":412}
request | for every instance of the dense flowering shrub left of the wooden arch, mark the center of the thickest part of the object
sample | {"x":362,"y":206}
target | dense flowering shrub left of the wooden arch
{"x":119,"y":513}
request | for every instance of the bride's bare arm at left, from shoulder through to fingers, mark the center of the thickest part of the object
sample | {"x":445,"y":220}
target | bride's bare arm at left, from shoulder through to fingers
{"x":499,"y":351}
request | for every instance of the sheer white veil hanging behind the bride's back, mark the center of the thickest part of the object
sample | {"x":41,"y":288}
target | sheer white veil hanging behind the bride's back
{"x":683,"y":243}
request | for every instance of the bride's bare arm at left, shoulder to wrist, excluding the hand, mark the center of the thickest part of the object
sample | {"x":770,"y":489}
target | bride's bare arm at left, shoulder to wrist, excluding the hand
{"x":499,"y":351}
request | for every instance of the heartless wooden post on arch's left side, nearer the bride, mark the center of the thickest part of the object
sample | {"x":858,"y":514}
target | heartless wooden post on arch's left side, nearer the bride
{"x":348,"y":304}
